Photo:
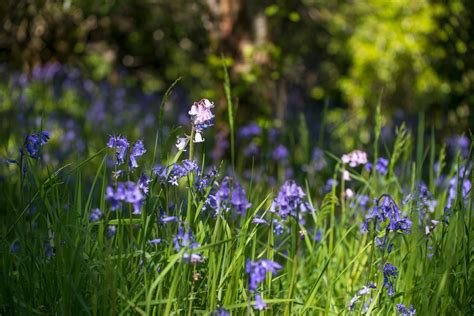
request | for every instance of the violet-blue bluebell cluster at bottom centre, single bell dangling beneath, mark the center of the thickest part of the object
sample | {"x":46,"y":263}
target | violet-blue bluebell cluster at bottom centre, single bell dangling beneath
{"x":257,"y":272}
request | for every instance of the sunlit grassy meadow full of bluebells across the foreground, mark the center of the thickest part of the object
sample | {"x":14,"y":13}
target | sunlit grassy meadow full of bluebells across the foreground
{"x":131,"y":213}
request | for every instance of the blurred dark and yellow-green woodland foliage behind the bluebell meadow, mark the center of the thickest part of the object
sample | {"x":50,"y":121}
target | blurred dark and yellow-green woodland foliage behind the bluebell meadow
{"x":285,"y":57}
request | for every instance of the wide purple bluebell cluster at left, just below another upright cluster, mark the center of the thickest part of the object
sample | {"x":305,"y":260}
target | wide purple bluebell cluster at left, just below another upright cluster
{"x":128,"y":192}
